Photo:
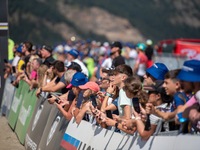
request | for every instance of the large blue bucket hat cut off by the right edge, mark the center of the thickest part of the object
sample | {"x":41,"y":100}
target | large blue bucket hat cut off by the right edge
{"x":190,"y":71}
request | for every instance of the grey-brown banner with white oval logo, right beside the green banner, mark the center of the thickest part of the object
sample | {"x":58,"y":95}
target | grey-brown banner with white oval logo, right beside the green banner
{"x":37,"y":124}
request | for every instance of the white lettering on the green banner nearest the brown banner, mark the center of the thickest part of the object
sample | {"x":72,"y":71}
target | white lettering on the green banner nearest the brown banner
{"x":24,"y":114}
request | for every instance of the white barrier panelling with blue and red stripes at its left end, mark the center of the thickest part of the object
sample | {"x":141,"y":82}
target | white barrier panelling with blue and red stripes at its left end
{"x":88,"y":136}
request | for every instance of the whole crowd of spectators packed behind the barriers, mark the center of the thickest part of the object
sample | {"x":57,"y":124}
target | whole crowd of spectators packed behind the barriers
{"x":97,"y":86}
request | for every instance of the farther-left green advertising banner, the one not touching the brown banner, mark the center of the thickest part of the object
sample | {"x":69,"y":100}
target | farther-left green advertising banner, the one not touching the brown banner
{"x":16,"y":104}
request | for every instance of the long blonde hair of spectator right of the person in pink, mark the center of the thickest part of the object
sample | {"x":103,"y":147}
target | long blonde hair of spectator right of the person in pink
{"x":41,"y":72}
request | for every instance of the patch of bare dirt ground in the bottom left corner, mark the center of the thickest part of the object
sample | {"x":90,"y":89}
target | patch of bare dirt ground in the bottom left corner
{"x":8,"y":138}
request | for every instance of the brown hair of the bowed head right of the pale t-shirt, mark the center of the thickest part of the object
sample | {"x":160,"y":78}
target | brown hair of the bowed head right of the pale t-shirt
{"x":134,"y":85}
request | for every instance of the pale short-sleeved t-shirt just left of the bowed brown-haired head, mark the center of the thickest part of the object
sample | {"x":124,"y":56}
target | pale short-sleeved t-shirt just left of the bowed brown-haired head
{"x":123,"y":101}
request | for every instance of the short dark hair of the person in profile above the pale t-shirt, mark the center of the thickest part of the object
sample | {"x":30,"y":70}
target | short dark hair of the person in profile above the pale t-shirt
{"x":124,"y":69}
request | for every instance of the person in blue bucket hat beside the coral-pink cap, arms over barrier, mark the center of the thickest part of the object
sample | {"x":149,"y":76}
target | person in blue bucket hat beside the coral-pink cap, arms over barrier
{"x":77,"y":80}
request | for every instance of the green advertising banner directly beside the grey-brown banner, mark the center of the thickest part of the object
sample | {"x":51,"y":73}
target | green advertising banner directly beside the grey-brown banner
{"x":25,"y":114}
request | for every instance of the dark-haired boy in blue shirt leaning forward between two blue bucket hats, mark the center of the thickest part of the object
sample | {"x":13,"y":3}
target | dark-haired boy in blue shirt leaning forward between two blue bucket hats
{"x":172,"y":87}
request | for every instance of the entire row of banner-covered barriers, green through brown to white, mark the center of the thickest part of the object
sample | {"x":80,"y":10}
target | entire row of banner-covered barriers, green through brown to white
{"x":40,"y":125}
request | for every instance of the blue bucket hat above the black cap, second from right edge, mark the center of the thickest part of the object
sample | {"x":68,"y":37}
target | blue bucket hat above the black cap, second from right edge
{"x":158,"y":71}
